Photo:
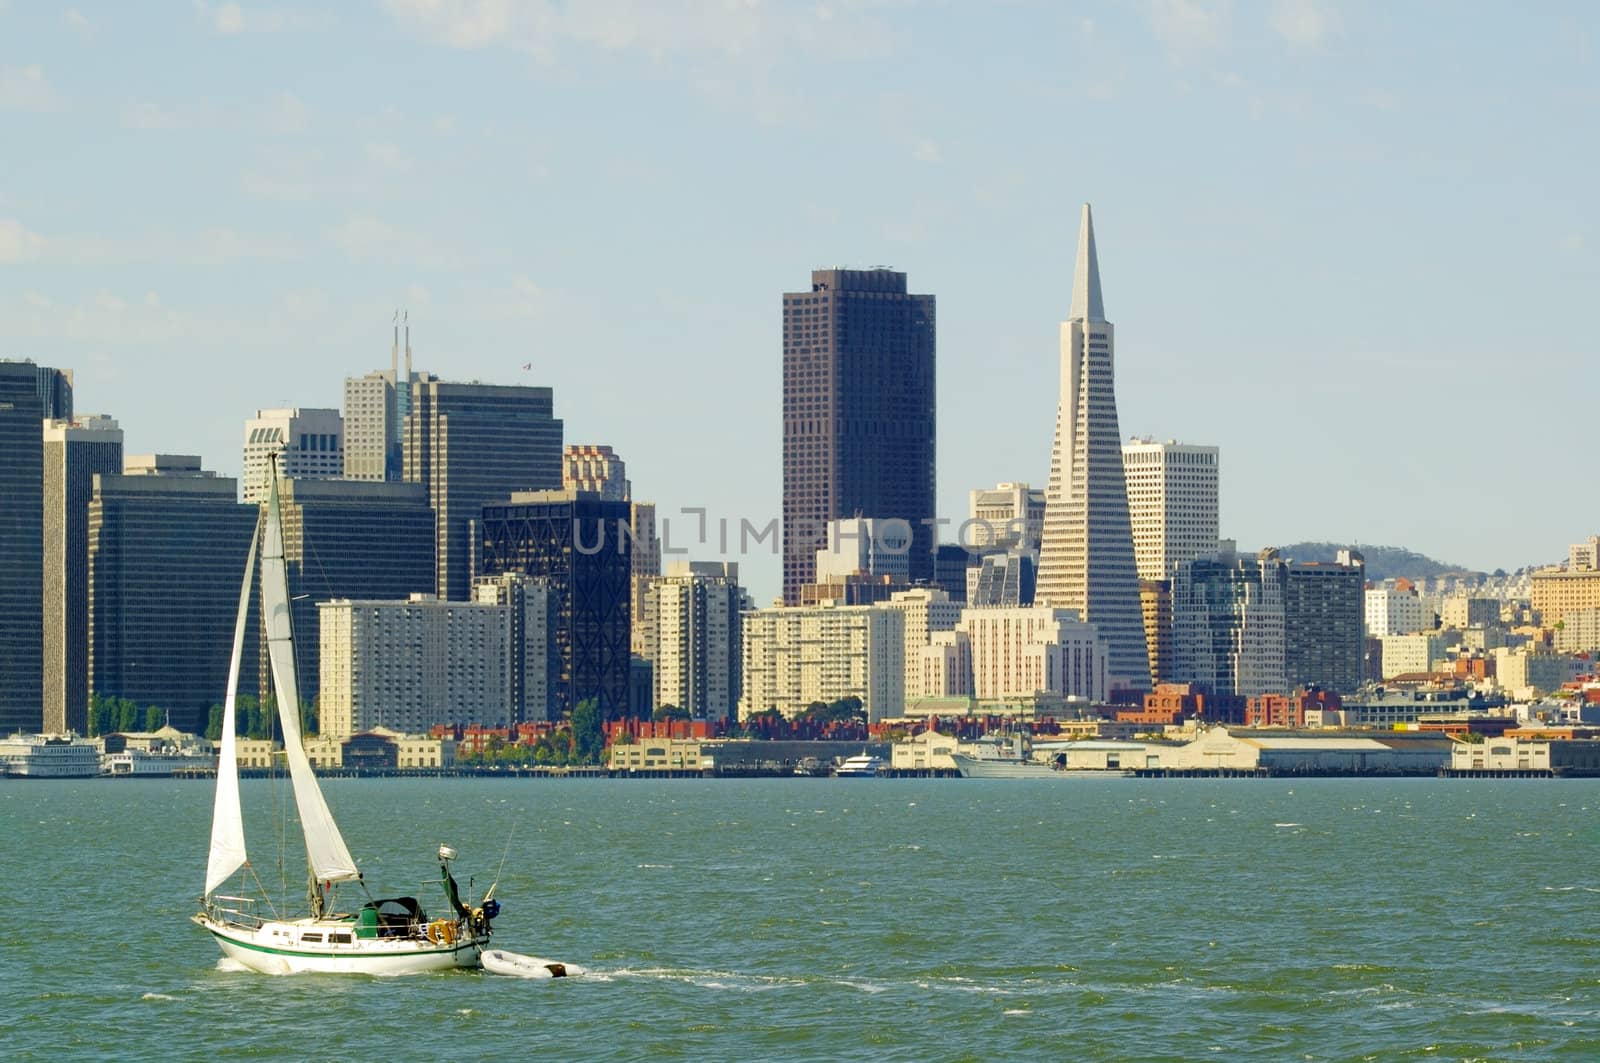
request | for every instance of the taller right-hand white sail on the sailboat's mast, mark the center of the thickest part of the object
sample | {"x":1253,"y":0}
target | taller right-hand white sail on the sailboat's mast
{"x":330,"y":859}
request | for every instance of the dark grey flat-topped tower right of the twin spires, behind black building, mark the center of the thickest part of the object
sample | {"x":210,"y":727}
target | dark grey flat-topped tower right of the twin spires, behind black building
{"x":471,"y":444}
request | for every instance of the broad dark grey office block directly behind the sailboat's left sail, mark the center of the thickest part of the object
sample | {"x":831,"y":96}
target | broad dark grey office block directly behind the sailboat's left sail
{"x":167,"y":555}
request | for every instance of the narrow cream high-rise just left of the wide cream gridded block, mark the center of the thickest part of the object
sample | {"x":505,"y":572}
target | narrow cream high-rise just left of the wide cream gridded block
{"x":698,"y":640}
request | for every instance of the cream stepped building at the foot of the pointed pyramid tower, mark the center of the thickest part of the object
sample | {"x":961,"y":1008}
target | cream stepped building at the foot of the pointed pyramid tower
{"x":1022,"y":652}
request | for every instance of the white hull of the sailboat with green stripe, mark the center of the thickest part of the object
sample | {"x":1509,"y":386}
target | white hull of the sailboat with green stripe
{"x":281,"y":949}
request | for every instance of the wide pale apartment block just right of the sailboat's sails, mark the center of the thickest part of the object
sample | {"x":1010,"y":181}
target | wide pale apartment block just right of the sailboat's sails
{"x":415,"y":664}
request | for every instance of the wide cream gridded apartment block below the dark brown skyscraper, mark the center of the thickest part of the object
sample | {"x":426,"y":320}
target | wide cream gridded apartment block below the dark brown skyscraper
{"x":798,"y":656}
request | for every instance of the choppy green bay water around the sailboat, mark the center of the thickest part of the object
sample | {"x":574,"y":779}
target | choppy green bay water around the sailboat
{"x":870,"y":920}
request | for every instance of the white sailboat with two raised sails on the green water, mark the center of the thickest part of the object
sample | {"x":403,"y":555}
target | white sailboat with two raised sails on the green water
{"x":377,"y":937}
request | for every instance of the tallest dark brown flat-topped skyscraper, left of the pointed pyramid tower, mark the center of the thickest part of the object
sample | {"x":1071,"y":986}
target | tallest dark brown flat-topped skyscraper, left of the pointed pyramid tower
{"x":858,"y":414}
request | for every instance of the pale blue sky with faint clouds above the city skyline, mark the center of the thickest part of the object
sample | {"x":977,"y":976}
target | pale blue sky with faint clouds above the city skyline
{"x":1351,"y":244}
